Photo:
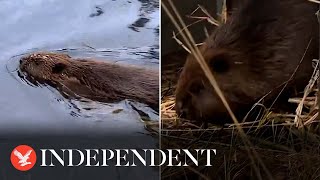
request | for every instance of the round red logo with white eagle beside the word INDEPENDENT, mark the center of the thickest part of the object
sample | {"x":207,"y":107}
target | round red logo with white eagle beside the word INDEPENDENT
{"x":23,"y":157}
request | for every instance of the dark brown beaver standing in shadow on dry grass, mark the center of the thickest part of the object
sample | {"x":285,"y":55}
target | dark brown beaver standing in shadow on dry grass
{"x":253,"y":53}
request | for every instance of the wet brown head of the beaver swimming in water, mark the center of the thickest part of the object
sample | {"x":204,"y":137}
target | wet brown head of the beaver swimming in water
{"x":44,"y":66}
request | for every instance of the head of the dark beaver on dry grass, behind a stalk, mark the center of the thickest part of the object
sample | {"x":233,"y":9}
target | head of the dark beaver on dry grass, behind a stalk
{"x":197,"y":100}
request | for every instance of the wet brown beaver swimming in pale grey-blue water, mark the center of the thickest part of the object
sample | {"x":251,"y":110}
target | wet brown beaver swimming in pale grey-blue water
{"x":100,"y":81}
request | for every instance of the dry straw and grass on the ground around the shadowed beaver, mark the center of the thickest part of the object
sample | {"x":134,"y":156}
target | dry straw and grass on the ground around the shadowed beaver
{"x":276,"y":146}
